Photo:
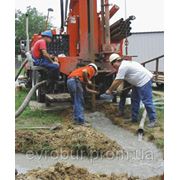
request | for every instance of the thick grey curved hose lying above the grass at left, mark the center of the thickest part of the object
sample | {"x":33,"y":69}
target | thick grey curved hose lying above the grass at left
{"x":28,"y":98}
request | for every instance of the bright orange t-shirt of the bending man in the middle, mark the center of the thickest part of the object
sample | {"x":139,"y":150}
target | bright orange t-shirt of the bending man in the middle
{"x":79,"y":72}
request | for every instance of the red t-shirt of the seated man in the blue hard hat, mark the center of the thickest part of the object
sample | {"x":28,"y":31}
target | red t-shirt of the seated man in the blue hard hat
{"x":38,"y":46}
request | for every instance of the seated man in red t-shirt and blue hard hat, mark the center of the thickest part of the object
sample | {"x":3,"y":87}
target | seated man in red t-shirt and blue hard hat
{"x":43,"y":58}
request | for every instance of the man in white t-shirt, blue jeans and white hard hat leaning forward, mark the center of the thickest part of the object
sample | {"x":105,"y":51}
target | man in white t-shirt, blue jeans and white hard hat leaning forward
{"x":141,"y":79}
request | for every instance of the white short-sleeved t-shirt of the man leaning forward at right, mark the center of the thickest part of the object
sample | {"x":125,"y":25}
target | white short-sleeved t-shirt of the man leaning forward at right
{"x":134,"y":73}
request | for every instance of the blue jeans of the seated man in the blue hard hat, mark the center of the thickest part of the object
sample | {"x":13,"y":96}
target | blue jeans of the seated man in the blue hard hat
{"x":52,"y":68}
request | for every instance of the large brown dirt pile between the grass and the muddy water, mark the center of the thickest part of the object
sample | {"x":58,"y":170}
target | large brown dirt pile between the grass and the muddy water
{"x":70,"y":140}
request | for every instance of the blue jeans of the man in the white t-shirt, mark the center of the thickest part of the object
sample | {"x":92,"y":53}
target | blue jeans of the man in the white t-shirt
{"x":143,"y":93}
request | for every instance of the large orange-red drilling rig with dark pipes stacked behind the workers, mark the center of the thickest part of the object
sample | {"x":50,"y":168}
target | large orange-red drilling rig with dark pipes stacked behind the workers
{"x":85,"y":35}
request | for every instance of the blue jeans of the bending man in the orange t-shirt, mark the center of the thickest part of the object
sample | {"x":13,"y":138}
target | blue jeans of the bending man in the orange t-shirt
{"x":76,"y":91}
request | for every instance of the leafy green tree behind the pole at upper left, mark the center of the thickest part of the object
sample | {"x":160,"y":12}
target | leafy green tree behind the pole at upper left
{"x":37,"y":22}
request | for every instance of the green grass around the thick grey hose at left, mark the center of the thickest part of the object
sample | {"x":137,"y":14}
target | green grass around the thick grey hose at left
{"x":34,"y":117}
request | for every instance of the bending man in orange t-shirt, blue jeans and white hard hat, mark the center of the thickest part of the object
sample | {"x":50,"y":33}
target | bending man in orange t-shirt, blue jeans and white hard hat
{"x":76,"y":80}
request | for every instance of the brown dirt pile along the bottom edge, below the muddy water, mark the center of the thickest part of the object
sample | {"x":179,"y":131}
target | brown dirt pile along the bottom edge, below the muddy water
{"x":69,"y":172}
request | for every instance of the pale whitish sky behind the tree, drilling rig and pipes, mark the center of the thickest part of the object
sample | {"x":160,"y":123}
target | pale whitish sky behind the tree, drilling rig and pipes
{"x":149,"y":13}
